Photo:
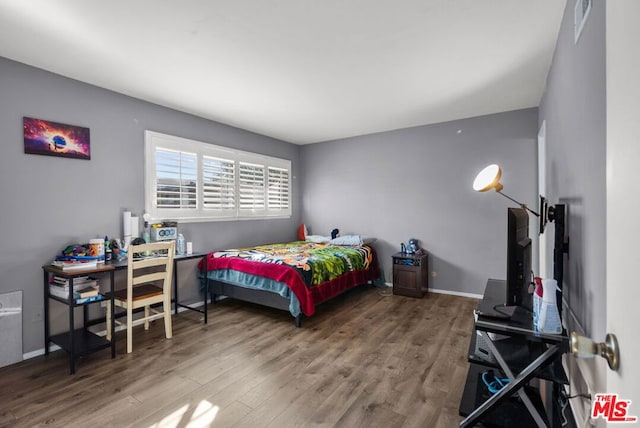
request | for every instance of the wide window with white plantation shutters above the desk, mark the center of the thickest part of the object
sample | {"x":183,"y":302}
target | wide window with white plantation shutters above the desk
{"x":189,"y":180}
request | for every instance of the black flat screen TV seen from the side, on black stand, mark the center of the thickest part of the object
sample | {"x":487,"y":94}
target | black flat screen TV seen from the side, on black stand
{"x":518,"y":258}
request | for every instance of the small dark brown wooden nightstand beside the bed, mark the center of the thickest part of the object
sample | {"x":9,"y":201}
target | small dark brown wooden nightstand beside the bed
{"x":410,"y":274}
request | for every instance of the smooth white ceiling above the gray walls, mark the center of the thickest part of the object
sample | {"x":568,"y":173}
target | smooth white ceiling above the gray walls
{"x":301,"y":71}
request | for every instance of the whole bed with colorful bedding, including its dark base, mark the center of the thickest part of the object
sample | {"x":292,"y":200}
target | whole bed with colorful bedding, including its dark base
{"x":293,"y":276}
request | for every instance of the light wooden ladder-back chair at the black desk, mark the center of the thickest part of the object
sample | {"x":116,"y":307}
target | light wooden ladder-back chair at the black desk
{"x":152,"y":285}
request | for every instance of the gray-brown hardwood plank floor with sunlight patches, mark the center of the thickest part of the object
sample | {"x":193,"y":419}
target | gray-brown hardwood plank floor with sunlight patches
{"x":365,"y":359}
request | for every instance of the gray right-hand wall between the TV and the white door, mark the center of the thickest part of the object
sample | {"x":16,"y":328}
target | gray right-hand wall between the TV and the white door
{"x":574,"y":107}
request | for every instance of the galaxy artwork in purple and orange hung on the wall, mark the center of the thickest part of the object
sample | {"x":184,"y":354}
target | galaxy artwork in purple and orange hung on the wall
{"x":42,"y":137}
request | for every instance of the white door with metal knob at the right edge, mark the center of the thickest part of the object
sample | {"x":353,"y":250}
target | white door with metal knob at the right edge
{"x":623,"y":195}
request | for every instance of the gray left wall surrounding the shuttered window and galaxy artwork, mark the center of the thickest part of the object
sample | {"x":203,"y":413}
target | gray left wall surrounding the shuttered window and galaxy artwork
{"x":48,"y":202}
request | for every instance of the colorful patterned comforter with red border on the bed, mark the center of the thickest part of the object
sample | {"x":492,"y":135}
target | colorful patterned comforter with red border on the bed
{"x":313,"y":272}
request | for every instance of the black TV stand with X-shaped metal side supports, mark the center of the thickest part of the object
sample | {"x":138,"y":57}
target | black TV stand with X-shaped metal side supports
{"x":522,"y":354}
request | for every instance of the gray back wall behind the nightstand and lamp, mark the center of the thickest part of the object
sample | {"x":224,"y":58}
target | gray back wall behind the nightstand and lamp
{"x":416,"y":182}
